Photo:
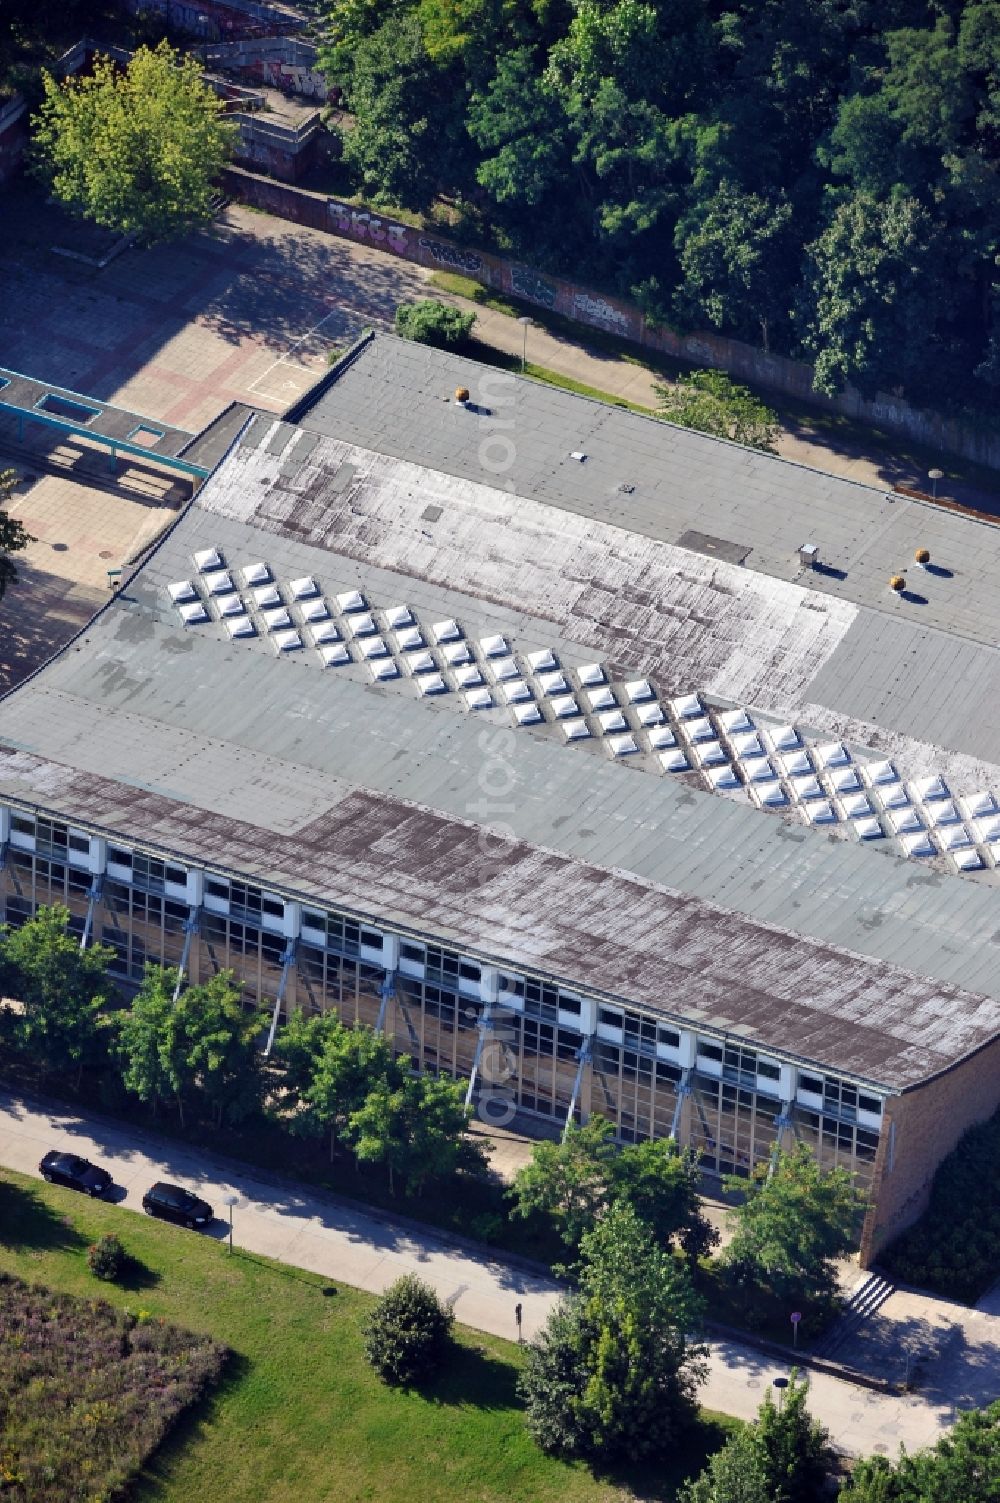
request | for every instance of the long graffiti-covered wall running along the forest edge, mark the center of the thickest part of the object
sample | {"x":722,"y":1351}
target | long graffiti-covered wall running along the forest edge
{"x":616,"y":316}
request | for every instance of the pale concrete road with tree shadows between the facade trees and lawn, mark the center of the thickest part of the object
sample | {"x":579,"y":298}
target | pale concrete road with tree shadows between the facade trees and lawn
{"x":314,"y":1232}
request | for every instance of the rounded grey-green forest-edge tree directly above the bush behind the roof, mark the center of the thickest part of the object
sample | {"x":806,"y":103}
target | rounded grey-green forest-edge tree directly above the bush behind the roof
{"x":739,"y":262}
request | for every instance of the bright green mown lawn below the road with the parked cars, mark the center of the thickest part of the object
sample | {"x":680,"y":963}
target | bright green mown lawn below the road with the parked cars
{"x":300,"y":1418}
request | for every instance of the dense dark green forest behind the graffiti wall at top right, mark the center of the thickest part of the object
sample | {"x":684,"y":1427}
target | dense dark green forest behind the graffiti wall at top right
{"x":816,"y":177}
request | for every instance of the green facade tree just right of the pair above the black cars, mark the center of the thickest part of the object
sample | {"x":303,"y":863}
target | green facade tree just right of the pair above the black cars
{"x":330,"y":1072}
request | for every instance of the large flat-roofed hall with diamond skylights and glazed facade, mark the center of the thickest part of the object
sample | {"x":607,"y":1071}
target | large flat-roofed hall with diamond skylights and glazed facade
{"x":521,"y":730}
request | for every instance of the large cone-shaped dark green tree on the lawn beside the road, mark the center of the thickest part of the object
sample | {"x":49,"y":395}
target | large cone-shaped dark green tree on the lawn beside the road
{"x":614,"y":1371}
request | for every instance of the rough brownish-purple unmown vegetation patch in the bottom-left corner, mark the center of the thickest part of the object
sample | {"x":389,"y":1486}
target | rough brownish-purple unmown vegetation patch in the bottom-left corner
{"x":89,"y":1391}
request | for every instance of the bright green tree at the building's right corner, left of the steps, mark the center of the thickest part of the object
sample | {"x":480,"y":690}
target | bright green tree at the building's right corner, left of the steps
{"x":795,"y":1221}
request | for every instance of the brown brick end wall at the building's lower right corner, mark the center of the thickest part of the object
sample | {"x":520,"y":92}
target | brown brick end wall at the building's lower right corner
{"x":927,"y":1125}
